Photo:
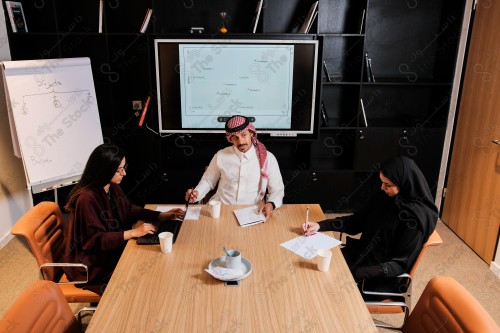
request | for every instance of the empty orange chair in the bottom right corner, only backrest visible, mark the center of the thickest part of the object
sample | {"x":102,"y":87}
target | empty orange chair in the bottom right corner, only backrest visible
{"x":446,"y":306}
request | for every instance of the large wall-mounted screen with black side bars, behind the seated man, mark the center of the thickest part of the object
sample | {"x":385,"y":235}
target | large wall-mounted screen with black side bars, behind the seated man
{"x":202,"y":82}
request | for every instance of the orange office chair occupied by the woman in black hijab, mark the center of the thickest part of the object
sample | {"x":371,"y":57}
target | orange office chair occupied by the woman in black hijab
{"x":398,"y":302}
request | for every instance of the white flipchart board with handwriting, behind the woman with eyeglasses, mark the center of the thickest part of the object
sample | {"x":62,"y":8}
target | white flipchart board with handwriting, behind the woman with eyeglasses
{"x":53,"y":117}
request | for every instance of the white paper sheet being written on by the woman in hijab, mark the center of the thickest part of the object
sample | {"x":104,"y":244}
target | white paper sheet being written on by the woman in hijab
{"x":307,"y":247}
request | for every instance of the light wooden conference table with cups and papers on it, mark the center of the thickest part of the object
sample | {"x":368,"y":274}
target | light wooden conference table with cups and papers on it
{"x":155,"y":292}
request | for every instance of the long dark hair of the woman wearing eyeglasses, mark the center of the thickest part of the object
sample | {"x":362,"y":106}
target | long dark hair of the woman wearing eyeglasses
{"x":99,"y":170}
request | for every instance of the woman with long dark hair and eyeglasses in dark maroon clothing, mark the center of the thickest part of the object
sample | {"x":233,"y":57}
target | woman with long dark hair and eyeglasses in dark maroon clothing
{"x":101,"y":218}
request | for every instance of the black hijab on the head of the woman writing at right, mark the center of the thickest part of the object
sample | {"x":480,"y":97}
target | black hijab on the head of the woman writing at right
{"x":414,"y":199}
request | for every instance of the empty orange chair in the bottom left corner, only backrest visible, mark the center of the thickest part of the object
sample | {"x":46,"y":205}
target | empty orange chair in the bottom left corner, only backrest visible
{"x":42,"y":309}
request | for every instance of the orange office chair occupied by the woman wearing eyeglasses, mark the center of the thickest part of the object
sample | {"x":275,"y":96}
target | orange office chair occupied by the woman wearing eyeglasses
{"x":43,"y":227}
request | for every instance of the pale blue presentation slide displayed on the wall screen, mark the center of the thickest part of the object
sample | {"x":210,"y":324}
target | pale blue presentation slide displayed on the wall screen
{"x":220,"y":80}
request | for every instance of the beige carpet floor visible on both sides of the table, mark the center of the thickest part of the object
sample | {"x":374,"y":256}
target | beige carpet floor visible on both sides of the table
{"x":18,"y":269}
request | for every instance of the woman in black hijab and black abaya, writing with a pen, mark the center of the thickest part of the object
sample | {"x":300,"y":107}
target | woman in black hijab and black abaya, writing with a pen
{"x":394,"y":225}
